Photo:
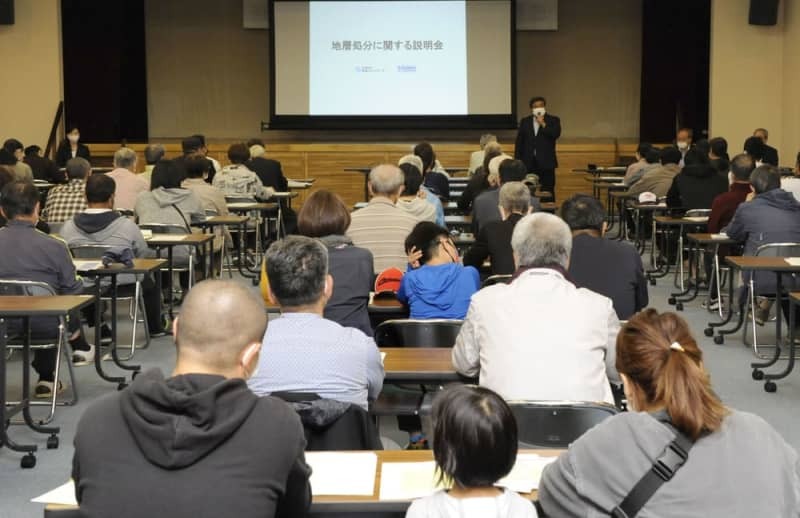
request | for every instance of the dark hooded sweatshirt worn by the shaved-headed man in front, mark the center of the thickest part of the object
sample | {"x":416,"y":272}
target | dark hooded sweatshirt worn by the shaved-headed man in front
{"x":191,"y":446}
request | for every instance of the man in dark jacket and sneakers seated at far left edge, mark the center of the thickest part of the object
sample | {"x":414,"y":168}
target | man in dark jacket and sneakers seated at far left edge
{"x":30,"y":255}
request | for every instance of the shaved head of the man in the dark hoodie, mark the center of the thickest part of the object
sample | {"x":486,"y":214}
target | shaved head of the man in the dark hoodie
{"x":239,"y":320}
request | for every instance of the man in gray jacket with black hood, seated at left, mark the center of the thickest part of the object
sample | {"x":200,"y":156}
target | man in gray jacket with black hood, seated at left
{"x":99,"y":224}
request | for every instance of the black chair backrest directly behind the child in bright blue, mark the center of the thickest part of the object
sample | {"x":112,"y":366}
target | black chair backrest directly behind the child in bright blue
{"x":417,"y":333}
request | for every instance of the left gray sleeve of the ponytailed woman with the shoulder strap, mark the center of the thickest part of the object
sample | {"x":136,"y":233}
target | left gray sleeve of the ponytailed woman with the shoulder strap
{"x":558,"y":489}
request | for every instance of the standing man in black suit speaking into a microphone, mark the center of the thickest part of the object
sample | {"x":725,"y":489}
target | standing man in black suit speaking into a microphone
{"x":536,"y":143}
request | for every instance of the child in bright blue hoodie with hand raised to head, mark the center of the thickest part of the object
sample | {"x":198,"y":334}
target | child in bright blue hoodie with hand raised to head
{"x":437,"y":286}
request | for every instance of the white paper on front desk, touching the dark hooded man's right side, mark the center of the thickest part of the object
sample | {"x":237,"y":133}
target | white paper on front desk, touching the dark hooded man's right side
{"x":335,"y":473}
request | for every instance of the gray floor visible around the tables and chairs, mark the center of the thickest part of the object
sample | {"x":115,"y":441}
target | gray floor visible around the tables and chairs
{"x":728,"y":364}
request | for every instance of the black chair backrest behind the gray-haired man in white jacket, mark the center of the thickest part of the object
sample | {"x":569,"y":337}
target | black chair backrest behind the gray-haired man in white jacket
{"x":556,"y":424}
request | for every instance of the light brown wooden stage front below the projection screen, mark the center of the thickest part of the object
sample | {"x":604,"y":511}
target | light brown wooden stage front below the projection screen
{"x":326,"y":161}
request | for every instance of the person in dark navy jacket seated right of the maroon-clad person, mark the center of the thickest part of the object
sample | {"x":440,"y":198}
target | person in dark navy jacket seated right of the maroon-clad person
{"x":771,"y":216}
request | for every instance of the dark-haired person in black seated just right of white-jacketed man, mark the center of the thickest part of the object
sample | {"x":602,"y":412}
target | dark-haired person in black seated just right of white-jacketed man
{"x":608,"y":267}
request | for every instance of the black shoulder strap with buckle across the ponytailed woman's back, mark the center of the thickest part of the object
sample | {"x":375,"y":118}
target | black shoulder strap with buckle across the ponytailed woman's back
{"x":663,"y":469}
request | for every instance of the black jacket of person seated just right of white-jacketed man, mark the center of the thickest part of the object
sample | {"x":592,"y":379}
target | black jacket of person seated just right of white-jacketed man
{"x":610,"y":268}
